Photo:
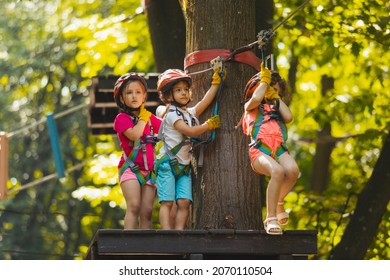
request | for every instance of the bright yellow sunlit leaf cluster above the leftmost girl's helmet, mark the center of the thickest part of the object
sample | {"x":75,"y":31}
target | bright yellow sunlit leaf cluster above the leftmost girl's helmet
{"x":111,"y":41}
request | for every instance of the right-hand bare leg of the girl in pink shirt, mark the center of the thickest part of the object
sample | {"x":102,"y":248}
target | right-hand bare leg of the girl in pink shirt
{"x":148,"y":195}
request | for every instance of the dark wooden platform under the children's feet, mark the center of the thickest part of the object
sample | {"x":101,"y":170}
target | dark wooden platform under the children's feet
{"x":201,"y":244}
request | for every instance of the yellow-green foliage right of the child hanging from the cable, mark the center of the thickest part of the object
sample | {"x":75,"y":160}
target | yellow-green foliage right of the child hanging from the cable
{"x":348,"y":41}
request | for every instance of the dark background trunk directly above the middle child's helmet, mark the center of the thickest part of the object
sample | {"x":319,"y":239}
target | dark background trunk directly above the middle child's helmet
{"x":167,"y":31}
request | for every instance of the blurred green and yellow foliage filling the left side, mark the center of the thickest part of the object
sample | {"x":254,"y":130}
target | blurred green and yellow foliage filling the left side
{"x":49,"y":50}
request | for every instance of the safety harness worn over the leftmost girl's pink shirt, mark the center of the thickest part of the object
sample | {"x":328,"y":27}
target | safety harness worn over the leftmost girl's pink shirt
{"x":137,"y":146}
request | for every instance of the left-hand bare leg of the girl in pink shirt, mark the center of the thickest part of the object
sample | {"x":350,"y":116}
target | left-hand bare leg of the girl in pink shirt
{"x":132,"y":192}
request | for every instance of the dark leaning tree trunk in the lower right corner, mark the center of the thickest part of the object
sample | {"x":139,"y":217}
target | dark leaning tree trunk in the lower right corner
{"x":371,"y":205}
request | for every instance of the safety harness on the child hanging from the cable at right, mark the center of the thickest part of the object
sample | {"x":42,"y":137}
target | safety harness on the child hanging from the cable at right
{"x":261,"y":118}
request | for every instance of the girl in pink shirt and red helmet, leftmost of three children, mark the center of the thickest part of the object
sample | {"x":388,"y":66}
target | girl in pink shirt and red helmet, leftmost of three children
{"x":136,"y":128}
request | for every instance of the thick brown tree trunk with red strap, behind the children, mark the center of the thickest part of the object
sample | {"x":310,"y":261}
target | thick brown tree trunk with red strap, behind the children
{"x":226,"y":191}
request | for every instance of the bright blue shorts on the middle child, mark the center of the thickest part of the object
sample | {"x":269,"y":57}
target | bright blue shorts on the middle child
{"x":170,"y":189}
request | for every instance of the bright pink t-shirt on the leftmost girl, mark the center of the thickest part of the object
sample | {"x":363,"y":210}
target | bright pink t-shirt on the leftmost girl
{"x":123,"y":122}
